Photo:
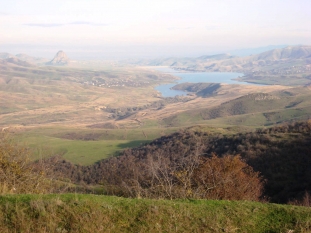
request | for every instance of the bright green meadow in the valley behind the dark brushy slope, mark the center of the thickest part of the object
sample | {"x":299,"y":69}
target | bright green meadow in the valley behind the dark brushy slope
{"x":85,"y":146}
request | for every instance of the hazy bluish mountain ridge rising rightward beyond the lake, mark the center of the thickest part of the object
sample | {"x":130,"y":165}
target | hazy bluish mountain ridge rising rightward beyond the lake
{"x":227,"y":62}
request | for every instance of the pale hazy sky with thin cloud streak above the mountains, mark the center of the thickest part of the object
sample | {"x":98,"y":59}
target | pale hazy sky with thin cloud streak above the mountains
{"x":145,"y":28}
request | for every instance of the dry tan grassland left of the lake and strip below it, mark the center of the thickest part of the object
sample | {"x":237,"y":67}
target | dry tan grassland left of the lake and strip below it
{"x":57,"y":97}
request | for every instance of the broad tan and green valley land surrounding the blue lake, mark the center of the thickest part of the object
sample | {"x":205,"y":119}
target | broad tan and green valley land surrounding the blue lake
{"x":119,"y":105}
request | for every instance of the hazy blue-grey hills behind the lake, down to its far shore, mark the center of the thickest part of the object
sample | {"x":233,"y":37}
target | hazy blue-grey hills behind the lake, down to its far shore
{"x":284,"y":61}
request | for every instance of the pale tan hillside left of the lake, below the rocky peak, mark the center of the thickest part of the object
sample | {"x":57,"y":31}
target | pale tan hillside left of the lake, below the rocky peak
{"x":43,"y":94}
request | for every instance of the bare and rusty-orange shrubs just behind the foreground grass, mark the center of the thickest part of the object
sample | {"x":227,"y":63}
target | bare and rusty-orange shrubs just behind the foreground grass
{"x":188,"y":176}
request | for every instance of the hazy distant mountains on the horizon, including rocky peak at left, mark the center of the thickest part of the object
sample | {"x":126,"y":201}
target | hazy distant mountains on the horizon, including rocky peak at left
{"x":218,"y":62}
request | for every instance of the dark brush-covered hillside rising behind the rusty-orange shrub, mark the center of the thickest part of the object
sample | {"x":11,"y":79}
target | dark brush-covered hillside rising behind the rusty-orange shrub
{"x":281,"y":155}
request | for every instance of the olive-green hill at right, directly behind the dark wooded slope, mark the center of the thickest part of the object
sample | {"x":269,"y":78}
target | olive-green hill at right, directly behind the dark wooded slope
{"x":247,"y":111}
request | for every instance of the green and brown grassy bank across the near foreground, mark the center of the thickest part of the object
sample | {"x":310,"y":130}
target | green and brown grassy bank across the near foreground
{"x":89,"y":213}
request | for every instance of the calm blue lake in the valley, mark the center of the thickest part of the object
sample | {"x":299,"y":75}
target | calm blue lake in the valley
{"x":196,"y":77}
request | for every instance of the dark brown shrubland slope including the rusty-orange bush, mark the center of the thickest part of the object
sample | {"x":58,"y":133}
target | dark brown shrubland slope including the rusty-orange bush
{"x":276,"y":160}
